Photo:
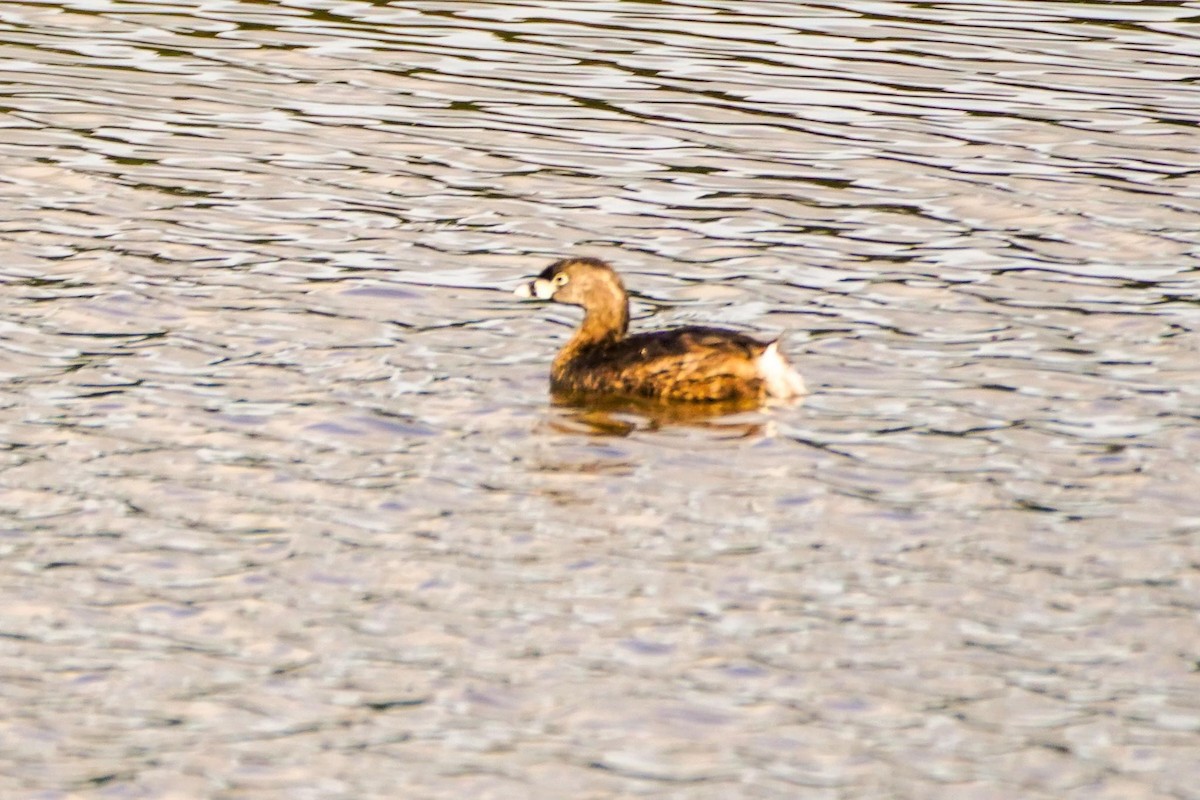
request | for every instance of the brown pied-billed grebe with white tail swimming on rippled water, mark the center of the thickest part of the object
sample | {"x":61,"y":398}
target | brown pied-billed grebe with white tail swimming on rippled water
{"x":685,"y":364}
